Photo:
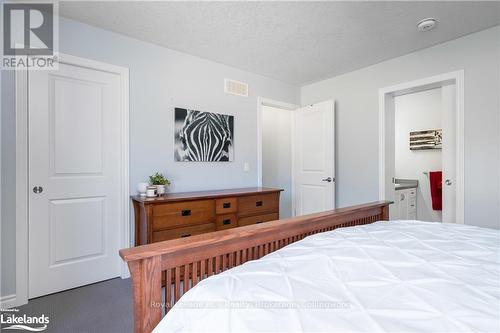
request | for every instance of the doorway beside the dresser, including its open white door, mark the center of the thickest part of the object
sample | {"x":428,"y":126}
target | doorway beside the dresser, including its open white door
{"x":296,"y":153}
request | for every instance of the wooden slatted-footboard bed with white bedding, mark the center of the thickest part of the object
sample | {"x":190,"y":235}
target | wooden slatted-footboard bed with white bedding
{"x":341,"y":271}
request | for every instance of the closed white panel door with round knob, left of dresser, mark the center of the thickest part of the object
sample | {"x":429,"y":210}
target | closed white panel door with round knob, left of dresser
{"x":74,"y":178}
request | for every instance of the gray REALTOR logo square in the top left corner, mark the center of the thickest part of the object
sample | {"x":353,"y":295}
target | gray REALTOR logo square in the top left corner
{"x":29,"y":35}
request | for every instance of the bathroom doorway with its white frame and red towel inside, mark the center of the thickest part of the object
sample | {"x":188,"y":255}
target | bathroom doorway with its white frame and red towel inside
{"x":406,"y":137}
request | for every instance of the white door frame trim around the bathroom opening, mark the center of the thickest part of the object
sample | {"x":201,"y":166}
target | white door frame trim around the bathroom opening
{"x":386,"y":101}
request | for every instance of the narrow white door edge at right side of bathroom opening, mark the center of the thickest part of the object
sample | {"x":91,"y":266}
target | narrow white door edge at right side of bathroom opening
{"x":449,"y":152}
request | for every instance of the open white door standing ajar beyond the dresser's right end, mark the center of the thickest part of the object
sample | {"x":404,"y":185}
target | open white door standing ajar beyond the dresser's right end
{"x":313,"y":142}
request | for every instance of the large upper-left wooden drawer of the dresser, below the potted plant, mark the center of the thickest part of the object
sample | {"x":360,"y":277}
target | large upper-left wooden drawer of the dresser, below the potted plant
{"x":174,"y":215}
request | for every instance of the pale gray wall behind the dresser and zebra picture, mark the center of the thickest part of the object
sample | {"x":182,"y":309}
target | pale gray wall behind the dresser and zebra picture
{"x":160,"y":79}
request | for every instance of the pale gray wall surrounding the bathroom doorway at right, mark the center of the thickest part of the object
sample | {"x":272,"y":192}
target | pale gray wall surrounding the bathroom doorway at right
{"x":356,"y":96}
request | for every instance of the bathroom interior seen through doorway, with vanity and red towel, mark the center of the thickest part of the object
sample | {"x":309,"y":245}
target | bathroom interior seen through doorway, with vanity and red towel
{"x":418,"y":161}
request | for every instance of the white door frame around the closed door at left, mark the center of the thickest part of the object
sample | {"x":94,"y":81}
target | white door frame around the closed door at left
{"x":22,"y":168}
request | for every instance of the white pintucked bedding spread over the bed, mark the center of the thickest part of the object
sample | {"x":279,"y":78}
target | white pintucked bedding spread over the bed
{"x":401,"y":276}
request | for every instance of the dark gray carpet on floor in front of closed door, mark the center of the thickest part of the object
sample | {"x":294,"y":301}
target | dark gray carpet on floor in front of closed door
{"x":101,"y":307}
